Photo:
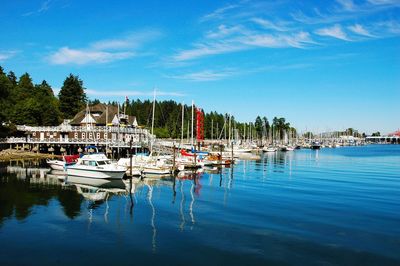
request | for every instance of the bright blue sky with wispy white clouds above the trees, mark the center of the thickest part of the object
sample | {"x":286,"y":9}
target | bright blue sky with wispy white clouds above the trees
{"x":323,"y":65}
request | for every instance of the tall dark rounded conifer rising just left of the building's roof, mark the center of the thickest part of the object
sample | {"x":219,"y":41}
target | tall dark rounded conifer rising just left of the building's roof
{"x":72,"y":97}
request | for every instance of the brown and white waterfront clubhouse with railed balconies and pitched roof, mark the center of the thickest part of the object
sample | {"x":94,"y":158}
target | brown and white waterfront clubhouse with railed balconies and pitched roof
{"x":101,"y":125}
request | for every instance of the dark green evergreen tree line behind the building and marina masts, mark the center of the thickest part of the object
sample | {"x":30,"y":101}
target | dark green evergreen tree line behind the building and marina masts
{"x":25,"y":103}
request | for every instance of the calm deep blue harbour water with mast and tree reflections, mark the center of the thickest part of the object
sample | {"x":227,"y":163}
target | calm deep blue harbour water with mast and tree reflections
{"x":330,"y":207}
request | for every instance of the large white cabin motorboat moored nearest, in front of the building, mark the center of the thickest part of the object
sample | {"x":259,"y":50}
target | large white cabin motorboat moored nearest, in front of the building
{"x":96,"y":166}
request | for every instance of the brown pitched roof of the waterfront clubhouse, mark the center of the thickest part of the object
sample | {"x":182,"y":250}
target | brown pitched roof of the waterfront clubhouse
{"x":104,"y":114}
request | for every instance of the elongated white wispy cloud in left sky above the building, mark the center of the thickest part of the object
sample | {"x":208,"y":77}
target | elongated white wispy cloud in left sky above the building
{"x":103,"y":51}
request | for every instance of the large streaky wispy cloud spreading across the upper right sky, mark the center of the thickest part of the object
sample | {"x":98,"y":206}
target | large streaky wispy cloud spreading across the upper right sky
{"x":250,"y":25}
